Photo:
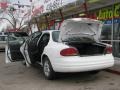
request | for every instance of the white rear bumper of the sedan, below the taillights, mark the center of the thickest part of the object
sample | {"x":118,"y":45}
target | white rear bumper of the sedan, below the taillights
{"x":81,"y":64}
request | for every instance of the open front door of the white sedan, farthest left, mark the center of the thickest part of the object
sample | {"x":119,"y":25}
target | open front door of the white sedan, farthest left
{"x":13,"y":49}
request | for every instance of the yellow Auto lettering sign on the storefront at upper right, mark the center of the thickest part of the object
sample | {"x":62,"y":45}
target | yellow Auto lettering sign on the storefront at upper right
{"x":107,"y":13}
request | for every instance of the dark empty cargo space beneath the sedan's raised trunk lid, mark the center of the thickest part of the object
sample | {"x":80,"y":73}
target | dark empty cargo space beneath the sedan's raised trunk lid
{"x":89,"y":49}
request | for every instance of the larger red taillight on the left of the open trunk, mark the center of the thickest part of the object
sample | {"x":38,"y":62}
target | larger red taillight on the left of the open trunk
{"x":69,"y":52}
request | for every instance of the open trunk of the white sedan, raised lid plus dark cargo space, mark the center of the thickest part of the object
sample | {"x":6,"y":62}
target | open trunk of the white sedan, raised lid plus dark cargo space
{"x":83,"y":34}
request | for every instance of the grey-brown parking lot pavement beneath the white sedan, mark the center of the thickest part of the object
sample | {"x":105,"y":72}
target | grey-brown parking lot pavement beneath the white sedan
{"x":15,"y":76}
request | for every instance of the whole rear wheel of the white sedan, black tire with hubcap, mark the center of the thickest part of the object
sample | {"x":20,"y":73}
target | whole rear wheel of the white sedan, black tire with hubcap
{"x":48,"y":70}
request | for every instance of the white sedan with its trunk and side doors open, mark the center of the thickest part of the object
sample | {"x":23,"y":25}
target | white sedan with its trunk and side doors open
{"x":73,"y":48}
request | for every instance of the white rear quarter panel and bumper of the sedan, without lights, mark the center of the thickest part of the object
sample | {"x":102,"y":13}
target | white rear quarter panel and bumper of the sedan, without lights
{"x":75,"y":63}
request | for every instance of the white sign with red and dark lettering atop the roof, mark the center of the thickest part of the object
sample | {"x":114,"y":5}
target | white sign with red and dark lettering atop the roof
{"x":44,"y":6}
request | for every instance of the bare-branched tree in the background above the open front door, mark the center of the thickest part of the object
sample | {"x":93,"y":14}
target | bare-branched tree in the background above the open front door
{"x":14,"y":18}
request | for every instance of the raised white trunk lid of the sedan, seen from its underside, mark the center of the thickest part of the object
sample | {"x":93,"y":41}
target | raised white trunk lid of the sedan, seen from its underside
{"x":80,"y":29}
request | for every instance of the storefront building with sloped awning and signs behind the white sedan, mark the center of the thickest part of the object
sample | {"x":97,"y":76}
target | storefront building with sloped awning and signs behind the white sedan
{"x":107,"y":11}
